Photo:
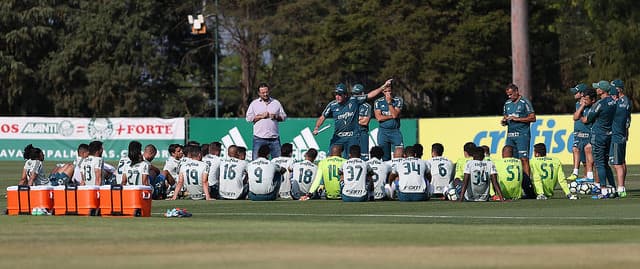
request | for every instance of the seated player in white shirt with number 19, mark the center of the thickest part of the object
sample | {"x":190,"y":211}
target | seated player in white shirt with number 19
{"x":194,"y":175}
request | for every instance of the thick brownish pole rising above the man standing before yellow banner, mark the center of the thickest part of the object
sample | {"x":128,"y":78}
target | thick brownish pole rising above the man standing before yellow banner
{"x":520,"y":46}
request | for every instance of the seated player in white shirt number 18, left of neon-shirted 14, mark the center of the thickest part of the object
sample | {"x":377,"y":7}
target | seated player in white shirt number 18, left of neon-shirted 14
{"x":302,"y":175}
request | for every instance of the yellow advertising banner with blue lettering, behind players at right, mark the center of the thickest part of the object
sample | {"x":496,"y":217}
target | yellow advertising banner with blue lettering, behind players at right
{"x":556,"y":132}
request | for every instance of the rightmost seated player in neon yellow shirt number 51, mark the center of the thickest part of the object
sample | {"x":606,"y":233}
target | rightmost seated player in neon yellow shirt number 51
{"x":547,"y":172}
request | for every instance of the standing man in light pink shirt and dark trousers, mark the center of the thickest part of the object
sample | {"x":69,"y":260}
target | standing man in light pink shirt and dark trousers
{"x":265,"y":113}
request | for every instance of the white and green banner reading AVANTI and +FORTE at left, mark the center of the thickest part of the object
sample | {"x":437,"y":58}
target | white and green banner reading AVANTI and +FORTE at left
{"x":59,"y":137}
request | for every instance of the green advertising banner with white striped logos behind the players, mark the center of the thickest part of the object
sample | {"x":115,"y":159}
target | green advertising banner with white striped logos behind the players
{"x":297,"y":131}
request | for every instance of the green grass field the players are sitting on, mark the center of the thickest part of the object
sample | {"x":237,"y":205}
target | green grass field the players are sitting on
{"x":328,"y":234}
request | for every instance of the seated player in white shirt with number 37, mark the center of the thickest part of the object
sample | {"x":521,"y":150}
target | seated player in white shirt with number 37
{"x":355,"y":175}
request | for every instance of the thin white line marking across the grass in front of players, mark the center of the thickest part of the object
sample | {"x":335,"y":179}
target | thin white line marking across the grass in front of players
{"x":253,"y":214}
